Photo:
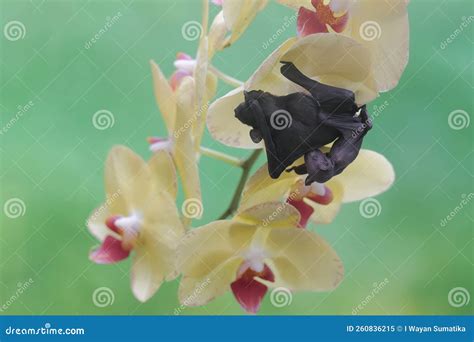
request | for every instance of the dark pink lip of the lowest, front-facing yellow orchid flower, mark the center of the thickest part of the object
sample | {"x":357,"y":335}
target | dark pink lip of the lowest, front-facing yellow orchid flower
{"x":248,"y":291}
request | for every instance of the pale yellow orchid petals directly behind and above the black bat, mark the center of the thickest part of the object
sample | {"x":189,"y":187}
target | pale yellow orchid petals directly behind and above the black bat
{"x":329,"y":58}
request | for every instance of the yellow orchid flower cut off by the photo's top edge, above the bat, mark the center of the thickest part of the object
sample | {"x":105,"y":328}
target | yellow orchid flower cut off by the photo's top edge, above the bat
{"x":381,"y":26}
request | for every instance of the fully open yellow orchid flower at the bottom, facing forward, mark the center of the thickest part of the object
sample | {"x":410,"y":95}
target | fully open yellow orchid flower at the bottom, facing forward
{"x":256,"y":250}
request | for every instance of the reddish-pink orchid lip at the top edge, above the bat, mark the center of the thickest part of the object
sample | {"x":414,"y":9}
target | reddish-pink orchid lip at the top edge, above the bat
{"x":310,"y":22}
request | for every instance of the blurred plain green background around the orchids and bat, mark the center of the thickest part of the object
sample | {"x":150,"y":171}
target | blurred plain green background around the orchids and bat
{"x":52,"y":158}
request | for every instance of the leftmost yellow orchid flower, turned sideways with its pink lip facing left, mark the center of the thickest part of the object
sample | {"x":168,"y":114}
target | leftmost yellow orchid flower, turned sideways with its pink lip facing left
{"x":139,"y":217}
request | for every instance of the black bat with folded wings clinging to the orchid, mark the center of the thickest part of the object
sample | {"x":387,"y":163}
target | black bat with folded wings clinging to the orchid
{"x":299,"y":124}
